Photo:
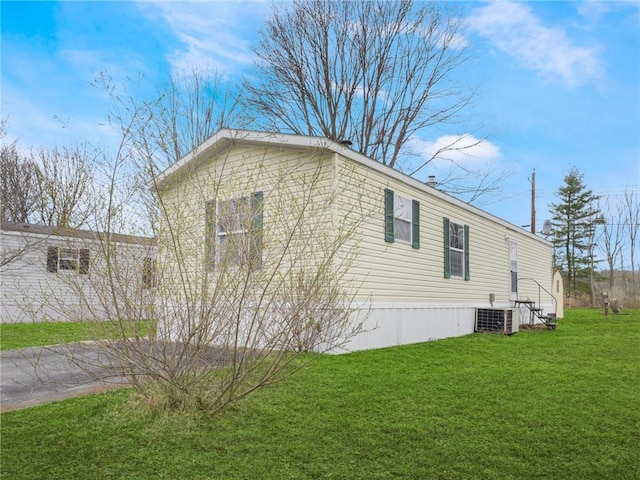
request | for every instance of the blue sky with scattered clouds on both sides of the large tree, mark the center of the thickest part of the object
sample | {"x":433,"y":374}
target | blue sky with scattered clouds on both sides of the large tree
{"x":558,"y":82}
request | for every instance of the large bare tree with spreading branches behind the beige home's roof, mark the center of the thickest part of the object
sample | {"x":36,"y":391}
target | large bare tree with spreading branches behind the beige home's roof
{"x":375,"y":73}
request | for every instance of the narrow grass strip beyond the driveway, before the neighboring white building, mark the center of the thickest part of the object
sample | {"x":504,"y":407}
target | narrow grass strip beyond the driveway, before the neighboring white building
{"x":23,"y":335}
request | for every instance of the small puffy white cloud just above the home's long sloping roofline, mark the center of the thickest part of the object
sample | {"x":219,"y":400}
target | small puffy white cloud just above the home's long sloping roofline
{"x":462,"y":150}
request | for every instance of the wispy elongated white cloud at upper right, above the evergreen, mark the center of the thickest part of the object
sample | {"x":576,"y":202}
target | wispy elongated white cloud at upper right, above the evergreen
{"x":549,"y":51}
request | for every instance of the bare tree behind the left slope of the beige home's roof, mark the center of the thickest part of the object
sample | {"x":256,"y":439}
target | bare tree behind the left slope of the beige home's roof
{"x":154,"y":133}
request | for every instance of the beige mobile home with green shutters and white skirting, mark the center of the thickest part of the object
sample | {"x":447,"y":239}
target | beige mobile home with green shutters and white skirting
{"x":422,"y":264}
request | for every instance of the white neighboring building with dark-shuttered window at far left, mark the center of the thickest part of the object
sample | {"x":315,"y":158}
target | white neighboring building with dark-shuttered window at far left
{"x":57,"y":274}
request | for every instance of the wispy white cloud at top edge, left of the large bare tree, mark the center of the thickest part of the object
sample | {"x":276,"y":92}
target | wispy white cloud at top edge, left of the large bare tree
{"x":213,"y":34}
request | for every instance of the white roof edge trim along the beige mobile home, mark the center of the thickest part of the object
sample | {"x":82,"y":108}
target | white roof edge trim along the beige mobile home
{"x":226,"y":138}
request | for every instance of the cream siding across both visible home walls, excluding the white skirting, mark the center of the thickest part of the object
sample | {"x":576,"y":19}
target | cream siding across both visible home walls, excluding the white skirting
{"x":382,"y":271}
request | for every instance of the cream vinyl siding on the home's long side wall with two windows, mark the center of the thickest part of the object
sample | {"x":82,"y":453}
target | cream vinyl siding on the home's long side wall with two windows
{"x":388,"y":274}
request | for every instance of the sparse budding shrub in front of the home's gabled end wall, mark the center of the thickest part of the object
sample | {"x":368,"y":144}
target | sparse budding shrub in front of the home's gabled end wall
{"x":237,"y":311}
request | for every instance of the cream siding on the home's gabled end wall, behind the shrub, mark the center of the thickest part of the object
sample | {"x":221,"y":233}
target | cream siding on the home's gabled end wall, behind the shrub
{"x":282,"y":176}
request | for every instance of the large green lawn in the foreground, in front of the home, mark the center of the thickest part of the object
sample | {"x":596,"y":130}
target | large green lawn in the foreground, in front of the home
{"x":559,"y":404}
